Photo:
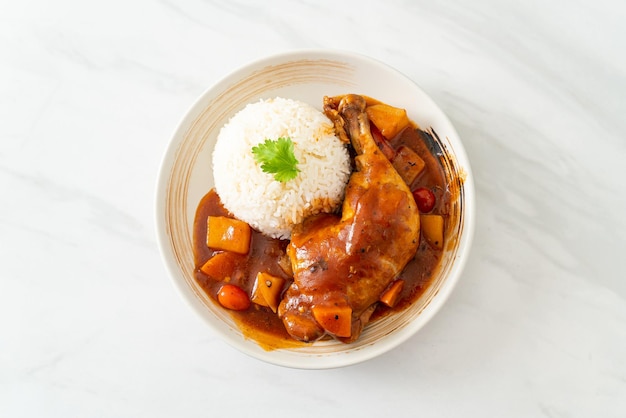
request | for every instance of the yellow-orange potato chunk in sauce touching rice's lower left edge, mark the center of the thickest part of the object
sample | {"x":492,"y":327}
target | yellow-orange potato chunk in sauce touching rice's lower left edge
{"x":228,"y":234}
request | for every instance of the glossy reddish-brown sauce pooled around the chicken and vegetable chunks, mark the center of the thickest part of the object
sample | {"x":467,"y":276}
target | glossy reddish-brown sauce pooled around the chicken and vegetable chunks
{"x":266,"y":254}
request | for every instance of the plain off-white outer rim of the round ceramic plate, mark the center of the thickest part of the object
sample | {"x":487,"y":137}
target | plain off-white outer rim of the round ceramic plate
{"x":243,"y":344}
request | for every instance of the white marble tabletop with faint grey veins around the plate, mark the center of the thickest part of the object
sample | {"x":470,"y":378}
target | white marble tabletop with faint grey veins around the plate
{"x":90,"y":325}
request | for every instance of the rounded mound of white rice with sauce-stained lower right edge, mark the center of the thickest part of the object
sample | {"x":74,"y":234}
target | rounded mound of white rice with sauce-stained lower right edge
{"x":255,"y":197}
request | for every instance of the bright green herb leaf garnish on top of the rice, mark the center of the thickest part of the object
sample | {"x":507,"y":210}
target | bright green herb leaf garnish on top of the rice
{"x":277,"y":157}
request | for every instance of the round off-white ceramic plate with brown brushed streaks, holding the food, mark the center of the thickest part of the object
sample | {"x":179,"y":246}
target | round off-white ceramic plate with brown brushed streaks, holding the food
{"x":186,"y":175}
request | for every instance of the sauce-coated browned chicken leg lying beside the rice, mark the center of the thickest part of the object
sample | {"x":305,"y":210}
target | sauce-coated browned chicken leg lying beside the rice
{"x":349,"y":261}
